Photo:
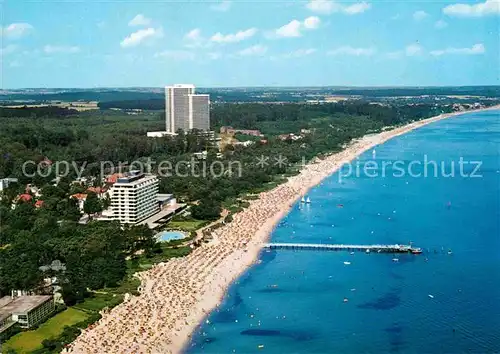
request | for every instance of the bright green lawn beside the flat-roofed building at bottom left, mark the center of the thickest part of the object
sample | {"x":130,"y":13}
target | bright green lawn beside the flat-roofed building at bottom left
{"x":26,"y":342}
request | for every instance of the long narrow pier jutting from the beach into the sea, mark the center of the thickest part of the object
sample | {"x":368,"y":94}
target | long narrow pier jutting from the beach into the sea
{"x":332,"y":247}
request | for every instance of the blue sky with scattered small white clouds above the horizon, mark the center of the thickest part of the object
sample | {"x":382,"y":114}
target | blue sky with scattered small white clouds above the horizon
{"x":249,"y":43}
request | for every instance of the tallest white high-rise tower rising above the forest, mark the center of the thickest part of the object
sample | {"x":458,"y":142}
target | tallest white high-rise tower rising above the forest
{"x":184,"y":110}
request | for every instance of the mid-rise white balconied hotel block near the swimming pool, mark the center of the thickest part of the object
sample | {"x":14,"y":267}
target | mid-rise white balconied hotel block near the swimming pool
{"x":133,"y":197}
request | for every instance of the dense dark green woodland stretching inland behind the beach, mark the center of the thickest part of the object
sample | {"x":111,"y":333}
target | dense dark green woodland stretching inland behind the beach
{"x":95,"y":254}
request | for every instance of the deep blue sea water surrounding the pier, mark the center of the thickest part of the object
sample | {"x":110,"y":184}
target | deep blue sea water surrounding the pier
{"x":293,"y":302}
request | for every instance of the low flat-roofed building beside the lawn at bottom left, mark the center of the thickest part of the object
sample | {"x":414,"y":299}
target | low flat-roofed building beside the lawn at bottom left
{"x":27,"y":311}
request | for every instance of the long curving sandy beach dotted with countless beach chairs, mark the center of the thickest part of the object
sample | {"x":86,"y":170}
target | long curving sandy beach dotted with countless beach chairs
{"x":177,"y":295}
